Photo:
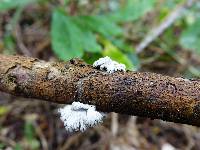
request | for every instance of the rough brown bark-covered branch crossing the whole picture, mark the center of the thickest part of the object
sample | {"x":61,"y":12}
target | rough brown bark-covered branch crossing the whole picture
{"x":134,"y":93}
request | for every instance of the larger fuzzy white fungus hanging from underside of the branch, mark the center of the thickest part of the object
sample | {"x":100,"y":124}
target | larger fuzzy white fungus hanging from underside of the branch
{"x":79,"y":116}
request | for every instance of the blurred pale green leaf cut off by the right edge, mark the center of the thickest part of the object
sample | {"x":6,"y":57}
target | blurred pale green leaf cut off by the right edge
{"x":190,"y":37}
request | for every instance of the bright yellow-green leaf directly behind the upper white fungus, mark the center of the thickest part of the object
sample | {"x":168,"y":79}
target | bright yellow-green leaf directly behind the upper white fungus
{"x":115,"y":54}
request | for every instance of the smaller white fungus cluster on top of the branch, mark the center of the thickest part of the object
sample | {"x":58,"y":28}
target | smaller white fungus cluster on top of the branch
{"x":109,"y":65}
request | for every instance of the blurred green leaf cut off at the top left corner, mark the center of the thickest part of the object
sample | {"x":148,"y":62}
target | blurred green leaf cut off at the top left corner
{"x":9,"y":4}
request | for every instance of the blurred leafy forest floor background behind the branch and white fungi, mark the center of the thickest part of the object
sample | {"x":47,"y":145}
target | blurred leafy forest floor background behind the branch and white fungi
{"x":89,"y":29}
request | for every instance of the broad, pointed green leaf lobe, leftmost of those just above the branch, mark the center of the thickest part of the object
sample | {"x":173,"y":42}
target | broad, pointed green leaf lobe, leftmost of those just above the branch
{"x":67,"y":38}
